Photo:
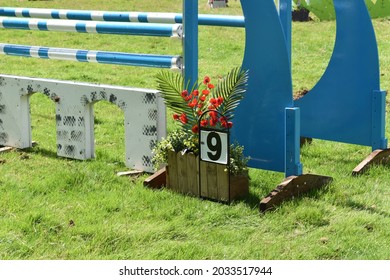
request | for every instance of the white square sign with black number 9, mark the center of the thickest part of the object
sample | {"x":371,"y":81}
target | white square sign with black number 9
{"x":214,"y":146}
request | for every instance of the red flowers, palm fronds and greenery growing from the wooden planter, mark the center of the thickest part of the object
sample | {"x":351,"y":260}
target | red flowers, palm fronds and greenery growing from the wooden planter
{"x":207,"y":105}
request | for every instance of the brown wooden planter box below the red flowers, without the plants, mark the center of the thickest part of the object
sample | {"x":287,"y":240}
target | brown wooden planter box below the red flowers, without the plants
{"x":183,"y":177}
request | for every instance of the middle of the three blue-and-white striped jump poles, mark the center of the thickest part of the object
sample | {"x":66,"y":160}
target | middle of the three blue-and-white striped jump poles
{"x":118,"y":28}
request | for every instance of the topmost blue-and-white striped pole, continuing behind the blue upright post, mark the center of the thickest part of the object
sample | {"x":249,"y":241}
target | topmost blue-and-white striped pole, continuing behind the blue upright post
{"x":144,"y":17}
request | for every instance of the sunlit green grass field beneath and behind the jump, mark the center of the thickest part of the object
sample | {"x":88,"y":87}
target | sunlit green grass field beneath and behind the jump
{"x":55,"y":208}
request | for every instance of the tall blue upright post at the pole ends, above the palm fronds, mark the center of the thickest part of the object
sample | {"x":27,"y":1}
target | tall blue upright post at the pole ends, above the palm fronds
{"x":190,"y":41}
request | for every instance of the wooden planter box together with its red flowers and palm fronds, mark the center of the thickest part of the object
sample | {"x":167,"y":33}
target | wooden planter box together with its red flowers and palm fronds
{"x":209,"y":106}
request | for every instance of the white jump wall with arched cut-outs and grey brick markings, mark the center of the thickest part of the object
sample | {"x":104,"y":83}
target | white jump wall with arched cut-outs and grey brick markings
{"x":144,"y":116}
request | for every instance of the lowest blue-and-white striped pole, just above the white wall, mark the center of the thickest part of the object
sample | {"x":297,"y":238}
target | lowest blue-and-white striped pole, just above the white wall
{"x":118,"y":58}
